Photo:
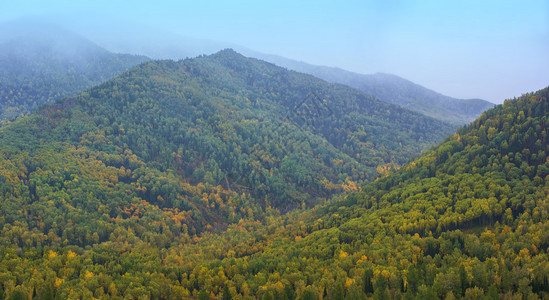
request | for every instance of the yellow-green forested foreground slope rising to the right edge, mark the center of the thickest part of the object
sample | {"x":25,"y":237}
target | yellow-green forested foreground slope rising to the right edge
{"x":468,"y":219}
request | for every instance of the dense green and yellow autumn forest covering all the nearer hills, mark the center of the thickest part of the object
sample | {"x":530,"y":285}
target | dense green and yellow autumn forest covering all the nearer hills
{"x":195,"y":179}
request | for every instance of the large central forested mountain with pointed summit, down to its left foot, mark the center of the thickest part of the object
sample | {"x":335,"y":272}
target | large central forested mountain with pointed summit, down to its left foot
{"x":100,"y":190}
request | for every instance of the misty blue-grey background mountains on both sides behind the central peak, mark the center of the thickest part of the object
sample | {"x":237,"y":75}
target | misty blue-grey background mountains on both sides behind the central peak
{"x":49,"y":62}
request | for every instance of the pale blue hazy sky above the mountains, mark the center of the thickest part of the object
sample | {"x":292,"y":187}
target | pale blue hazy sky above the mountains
{"x":492,"y":50}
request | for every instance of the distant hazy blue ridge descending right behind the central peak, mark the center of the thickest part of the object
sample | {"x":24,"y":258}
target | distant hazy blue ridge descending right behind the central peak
{"x":392,"y":89}
